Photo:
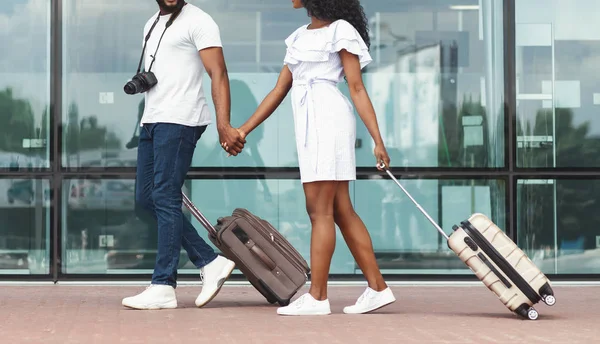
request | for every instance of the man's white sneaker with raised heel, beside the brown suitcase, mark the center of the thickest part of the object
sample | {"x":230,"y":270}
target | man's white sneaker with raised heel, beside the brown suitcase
{"x":213,"y":275}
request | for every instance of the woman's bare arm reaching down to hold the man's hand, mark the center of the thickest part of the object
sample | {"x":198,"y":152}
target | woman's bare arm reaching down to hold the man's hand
{"x":270,"y":103}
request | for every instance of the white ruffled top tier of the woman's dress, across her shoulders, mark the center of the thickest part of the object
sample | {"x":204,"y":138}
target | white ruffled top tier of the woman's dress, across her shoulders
{"x":318,"y":48}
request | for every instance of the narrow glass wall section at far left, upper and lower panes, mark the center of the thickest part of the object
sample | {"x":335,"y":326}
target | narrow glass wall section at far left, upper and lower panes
{"x":24,"y":134}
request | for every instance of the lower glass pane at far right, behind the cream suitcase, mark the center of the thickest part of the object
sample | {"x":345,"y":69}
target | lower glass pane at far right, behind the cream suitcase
{"x":557,"y":225}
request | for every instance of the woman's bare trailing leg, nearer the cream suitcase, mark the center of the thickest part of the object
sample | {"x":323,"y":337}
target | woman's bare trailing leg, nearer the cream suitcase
{"x":357,"y":237}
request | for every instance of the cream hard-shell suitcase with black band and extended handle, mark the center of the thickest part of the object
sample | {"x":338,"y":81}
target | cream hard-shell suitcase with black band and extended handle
{"x":497,"y":261}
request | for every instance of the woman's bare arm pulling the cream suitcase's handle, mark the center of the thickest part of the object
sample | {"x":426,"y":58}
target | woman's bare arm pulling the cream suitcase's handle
{"x":363,"y":104}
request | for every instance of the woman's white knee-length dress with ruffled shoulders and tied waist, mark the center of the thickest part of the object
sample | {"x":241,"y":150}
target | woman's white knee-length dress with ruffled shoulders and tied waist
{"x":325,"y":124}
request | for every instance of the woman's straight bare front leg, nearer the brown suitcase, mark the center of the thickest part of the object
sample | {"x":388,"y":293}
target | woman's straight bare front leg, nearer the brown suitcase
{"x":319,"y":205}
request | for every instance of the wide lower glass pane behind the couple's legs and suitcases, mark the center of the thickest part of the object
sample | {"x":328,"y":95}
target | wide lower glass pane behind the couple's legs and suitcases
{"x":103,"y":235}
